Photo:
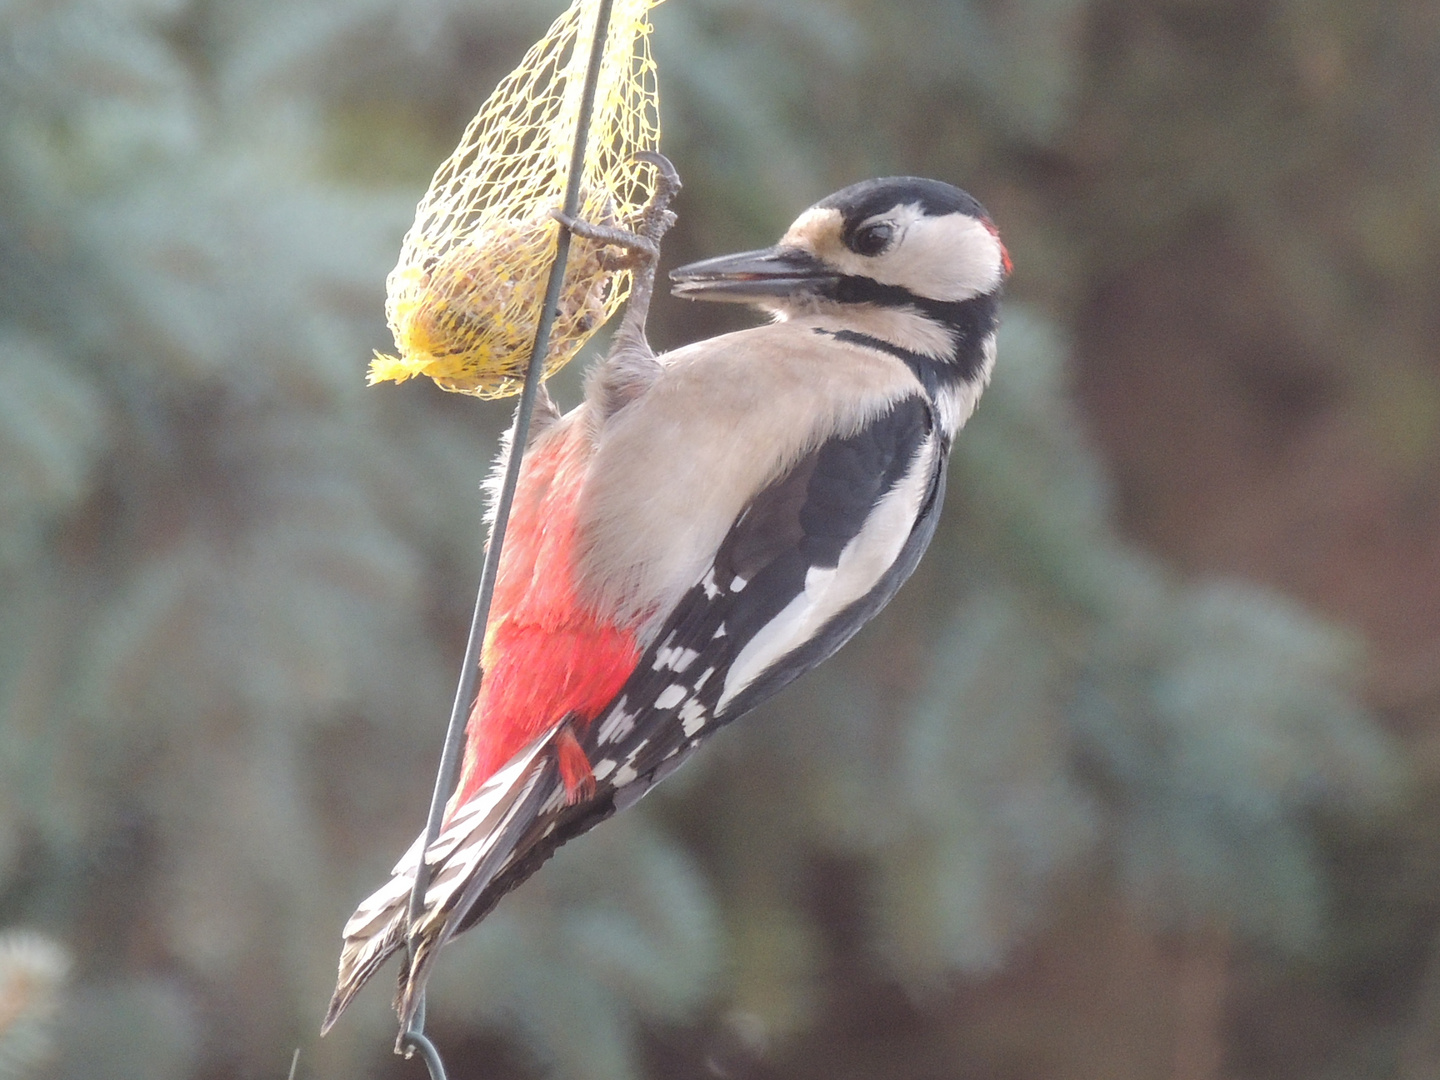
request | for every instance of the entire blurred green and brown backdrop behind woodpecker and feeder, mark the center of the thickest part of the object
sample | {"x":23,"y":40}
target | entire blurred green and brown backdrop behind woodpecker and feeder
{"x":1138,"y":778}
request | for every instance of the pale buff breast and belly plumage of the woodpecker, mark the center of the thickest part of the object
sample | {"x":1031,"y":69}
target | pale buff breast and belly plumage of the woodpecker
{"x":725,"y":420}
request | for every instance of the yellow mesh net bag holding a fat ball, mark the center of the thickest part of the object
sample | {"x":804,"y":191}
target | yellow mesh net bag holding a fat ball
{"x":464,"y":300}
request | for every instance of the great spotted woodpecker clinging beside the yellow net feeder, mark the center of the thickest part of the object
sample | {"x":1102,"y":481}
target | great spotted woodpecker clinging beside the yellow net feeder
{"x":705,"y":528}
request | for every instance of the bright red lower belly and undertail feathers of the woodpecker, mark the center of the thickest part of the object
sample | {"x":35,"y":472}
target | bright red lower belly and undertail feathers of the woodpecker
{"x":549,"y":659}
